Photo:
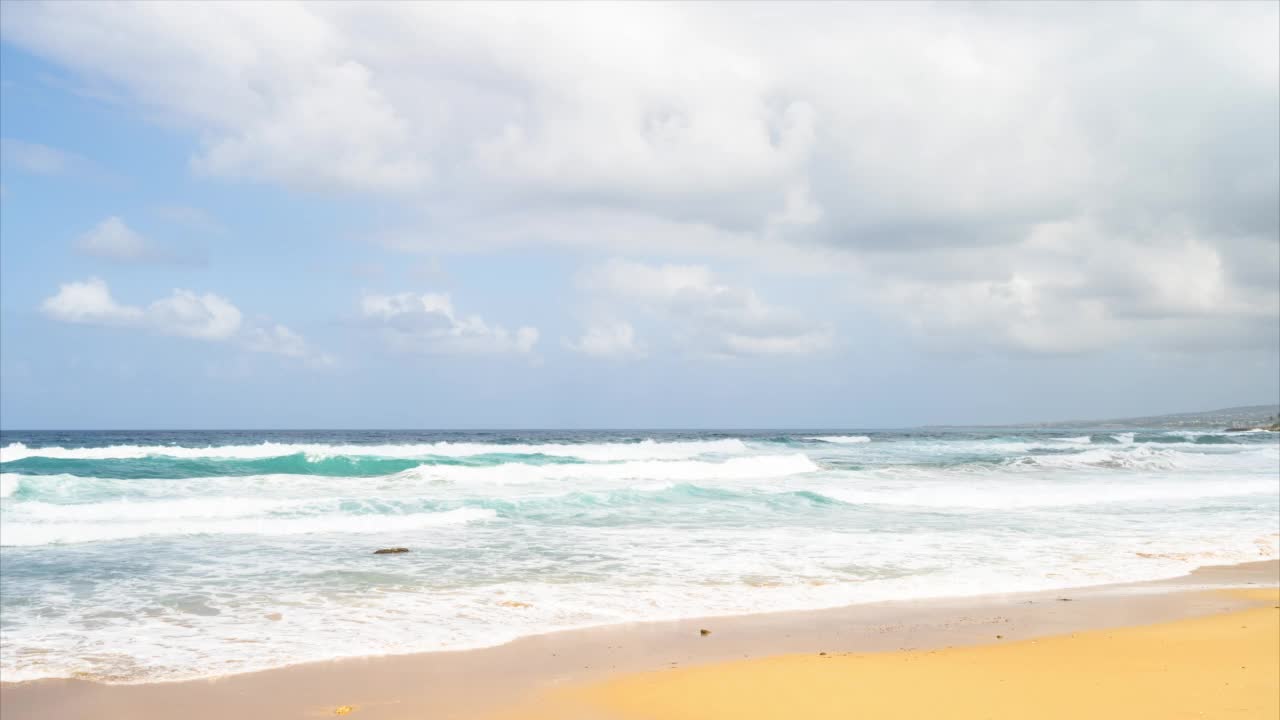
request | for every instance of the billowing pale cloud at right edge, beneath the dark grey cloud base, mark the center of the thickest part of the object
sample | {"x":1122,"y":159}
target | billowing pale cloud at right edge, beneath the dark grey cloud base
{"x":1073,"y":288}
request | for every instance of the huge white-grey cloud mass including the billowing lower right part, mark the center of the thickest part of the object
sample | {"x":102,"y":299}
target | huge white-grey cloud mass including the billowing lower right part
{"x":921,"y":153}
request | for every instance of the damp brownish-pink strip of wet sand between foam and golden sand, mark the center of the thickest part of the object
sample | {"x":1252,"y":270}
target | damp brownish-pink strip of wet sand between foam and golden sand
{"x":464,"y":683}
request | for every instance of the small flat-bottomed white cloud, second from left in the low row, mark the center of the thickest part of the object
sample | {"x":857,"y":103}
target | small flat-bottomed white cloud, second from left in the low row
{"x":428,"y":323}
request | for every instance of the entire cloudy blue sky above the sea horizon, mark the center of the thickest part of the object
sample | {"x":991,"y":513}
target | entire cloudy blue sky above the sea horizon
{"x":636,"y":216}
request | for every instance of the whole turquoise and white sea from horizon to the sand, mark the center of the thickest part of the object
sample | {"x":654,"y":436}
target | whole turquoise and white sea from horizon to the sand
{"x":153,"y":557}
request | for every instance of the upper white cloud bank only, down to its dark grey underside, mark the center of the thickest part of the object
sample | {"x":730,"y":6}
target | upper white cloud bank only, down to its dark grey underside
{"x":753,"y":104}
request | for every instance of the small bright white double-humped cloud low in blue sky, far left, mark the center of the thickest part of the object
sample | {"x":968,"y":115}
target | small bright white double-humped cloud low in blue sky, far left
{"x":184,"y":313}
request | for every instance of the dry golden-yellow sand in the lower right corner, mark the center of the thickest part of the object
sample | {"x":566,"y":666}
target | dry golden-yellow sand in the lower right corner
{"x":1218,"y":667}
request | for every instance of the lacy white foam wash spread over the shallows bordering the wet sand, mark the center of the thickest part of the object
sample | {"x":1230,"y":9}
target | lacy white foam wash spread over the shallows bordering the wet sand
{"x":257,"y":621}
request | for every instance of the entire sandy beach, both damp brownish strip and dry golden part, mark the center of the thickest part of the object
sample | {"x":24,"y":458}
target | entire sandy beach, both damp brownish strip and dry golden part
{"x":1197,"y":635}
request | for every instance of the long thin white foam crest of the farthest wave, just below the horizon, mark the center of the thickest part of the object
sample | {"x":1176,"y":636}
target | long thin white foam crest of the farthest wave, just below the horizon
{"x":606,"y":452}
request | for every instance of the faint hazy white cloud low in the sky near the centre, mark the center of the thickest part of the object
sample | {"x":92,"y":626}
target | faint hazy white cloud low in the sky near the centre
{"x":702,"y":313}
